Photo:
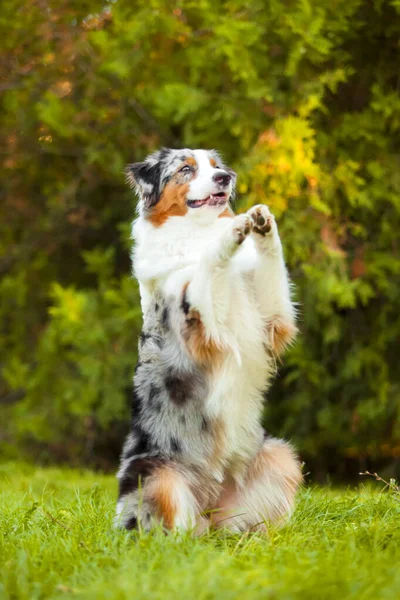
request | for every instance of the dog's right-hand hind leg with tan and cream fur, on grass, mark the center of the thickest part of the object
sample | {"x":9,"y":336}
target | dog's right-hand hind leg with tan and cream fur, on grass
{"x":267,"y":493}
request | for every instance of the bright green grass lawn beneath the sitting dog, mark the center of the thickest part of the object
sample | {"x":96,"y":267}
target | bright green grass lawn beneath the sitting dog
{"x":57,"y":541}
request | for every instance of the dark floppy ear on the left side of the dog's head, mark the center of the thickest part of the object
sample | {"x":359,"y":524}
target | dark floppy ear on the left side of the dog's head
{"x":144,"y":177}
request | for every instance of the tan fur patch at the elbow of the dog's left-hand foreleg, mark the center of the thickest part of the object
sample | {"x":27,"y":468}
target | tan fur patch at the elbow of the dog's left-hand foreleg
{"x":204,"y":351}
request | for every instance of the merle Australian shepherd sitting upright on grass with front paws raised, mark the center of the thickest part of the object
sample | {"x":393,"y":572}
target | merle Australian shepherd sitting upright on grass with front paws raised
{"x":216,"y":312}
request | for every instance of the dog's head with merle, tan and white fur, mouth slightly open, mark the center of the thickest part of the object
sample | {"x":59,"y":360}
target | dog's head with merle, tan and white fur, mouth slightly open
{"x":179,"y":182}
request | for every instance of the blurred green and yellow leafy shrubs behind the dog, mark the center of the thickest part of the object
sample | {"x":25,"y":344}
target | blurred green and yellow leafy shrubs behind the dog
{"x":302,"y":98}
